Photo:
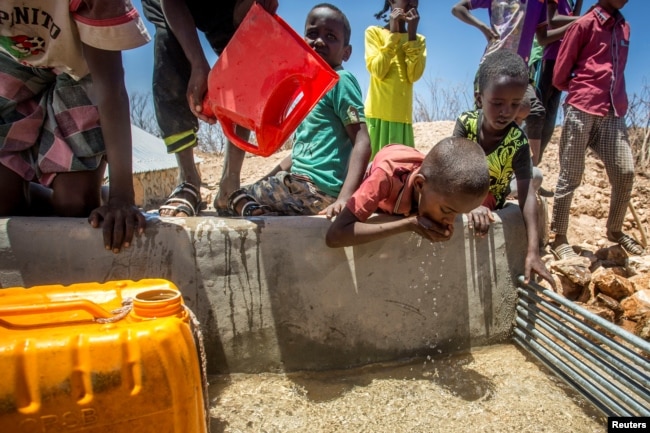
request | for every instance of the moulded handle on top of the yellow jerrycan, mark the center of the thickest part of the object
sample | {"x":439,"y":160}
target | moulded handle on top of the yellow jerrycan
{"x":89,"y":307}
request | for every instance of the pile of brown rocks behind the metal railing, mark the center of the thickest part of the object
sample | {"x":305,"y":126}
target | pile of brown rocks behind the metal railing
{"x":608,"y":283}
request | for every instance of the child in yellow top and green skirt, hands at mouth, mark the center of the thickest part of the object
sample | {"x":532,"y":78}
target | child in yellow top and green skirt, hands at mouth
{"x":395,"y":59}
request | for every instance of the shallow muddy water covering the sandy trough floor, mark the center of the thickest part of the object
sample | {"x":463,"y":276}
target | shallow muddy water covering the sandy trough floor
{"x":495,"y":389}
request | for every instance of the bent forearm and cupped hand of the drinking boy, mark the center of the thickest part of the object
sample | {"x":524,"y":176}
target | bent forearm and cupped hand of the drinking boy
{"x":347,"y":230}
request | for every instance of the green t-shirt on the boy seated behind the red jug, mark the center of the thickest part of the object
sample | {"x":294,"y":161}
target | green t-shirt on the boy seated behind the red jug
{"x":322,"y":148}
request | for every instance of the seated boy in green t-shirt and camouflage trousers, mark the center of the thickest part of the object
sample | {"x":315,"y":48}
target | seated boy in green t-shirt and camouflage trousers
{"x":331,"y":148}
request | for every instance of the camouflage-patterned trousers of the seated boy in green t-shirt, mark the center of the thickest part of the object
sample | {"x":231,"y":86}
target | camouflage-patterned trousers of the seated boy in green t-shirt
{"x":290,"y":194}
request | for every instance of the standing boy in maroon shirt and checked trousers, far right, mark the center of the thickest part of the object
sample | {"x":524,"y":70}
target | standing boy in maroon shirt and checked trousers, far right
{"x":590,"y":67}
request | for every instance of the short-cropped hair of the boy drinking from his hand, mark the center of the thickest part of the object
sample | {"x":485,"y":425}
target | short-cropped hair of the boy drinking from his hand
{"x":456,"y":165}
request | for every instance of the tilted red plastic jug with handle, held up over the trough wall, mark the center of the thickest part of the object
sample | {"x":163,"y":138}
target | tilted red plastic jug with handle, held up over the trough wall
{"x":267,"y":80}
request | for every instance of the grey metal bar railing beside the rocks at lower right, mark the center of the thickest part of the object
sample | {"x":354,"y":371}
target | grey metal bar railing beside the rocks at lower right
{"x":609,"y":366}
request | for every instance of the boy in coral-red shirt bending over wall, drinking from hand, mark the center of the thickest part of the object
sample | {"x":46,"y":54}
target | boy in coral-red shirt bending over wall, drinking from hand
{"x":426,"y":192}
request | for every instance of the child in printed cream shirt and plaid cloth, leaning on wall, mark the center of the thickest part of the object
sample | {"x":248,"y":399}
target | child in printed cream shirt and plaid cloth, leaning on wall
{"x":65,"y":112}
